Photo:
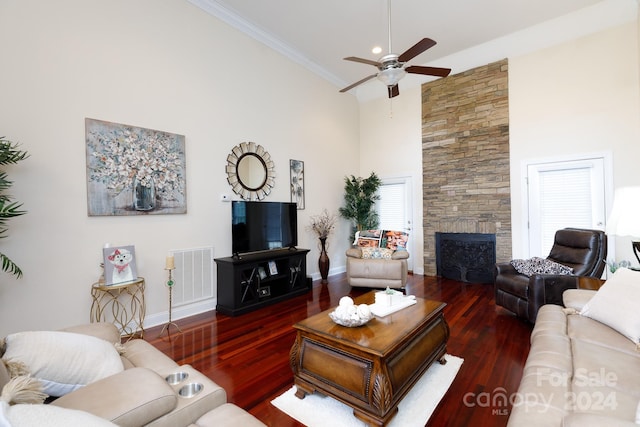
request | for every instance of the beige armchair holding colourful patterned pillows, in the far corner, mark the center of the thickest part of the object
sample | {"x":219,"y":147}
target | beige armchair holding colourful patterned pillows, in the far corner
{"x":377,"y":272}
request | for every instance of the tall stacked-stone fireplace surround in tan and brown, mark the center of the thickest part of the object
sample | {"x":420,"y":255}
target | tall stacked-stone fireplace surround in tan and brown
{"x":465,"y":159}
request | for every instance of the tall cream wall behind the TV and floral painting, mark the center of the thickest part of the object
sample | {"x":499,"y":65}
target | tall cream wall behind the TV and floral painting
{"x":160,"y":65}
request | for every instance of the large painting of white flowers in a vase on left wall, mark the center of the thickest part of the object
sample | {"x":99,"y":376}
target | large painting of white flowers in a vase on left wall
{"x":133,"y":170}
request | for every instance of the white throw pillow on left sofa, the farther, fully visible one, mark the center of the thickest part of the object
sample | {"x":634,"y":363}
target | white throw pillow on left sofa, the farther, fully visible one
{"x":63,"y":361}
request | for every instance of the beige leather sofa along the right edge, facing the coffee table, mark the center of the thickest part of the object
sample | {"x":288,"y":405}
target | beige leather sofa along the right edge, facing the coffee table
{"x":579,"y":372}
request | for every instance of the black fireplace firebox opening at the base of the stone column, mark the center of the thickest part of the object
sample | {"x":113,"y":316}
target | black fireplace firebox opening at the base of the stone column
{"x":466,"y":257}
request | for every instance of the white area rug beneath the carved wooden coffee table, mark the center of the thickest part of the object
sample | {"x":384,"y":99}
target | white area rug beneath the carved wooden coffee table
{"x":414,"y":410}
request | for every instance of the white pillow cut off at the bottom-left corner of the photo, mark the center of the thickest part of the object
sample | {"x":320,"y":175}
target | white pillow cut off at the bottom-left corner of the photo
{"x":24,"y":415}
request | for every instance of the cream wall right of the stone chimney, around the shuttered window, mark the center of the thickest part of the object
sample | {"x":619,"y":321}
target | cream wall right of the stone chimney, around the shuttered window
{"x":579,"y":97}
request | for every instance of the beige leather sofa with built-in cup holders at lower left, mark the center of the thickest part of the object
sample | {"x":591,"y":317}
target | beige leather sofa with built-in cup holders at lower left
{"x":141,"y":394}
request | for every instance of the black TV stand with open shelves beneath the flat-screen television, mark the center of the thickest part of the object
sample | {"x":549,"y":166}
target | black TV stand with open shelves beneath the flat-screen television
{"x":254,"y":280}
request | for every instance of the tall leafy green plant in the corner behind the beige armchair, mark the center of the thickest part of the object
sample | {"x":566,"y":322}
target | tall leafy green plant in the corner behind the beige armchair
{"x":360,"y":195}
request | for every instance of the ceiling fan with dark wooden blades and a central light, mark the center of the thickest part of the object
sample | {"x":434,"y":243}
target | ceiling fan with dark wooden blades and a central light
{"x":392,"y":67}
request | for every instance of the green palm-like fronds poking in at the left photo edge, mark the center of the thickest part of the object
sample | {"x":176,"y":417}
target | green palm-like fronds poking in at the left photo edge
{"x":9,"y":154}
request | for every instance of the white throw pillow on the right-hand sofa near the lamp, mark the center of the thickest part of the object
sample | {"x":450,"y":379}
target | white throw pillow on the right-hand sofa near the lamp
{"x":616,"y":304}
